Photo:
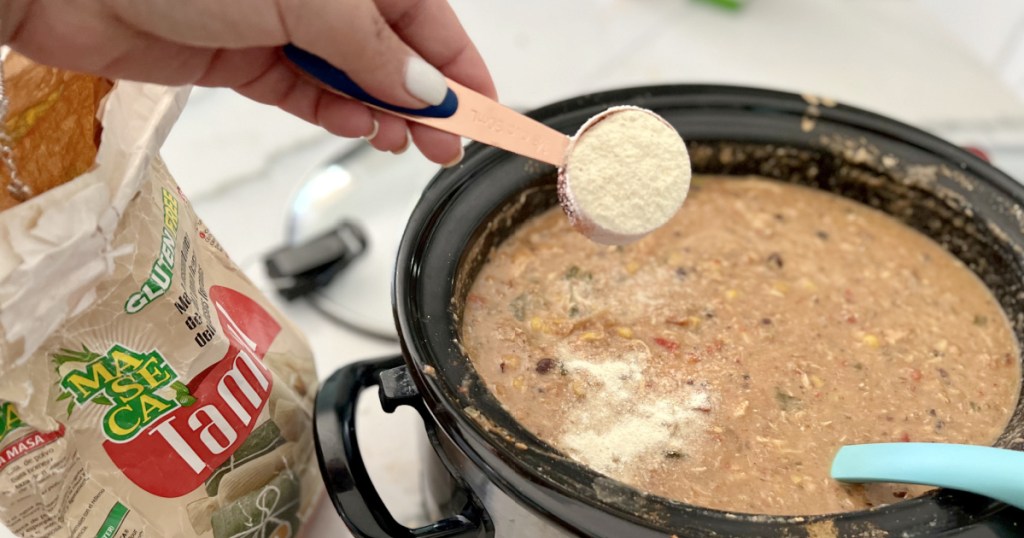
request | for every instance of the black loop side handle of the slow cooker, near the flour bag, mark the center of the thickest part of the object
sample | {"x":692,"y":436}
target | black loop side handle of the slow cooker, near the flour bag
{"x":345,"y":473}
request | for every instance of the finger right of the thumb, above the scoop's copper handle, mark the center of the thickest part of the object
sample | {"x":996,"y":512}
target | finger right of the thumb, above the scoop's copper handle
{"x":433,"y":29}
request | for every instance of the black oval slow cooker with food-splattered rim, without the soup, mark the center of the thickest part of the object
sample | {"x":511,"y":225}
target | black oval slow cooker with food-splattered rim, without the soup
{"x":487,"y":476}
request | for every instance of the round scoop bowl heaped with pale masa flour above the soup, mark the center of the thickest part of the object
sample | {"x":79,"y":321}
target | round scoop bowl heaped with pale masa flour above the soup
{"x":627,"y":173}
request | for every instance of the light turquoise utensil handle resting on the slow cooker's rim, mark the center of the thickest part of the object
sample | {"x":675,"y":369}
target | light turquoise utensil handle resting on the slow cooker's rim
{"x":995,"y":473}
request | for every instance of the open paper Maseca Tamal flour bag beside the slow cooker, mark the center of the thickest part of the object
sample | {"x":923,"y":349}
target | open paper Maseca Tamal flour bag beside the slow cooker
{"x":147,"y":388}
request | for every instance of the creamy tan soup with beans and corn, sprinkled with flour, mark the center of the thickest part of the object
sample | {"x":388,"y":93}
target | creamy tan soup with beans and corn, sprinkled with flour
{"x":724,"y":359}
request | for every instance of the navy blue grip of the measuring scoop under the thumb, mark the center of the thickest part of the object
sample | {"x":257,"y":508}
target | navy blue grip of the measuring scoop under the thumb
{"x":337,"y":80}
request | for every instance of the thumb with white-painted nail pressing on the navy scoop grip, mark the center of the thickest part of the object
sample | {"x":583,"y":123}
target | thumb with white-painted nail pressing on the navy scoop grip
{"x":355,"y":37}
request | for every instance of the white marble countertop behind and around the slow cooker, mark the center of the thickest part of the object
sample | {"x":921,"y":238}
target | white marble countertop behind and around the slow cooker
{"x":240,"y":162}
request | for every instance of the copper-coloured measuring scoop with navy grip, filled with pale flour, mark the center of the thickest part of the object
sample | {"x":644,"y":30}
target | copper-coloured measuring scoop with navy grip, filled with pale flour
{"x":621,"y":209}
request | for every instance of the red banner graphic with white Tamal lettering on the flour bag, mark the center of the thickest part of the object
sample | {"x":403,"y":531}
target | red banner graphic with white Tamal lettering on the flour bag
{"x":177,"y":454}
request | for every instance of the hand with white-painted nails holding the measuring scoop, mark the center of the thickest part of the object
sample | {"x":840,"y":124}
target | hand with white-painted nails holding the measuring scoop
{"x":390,"y":48}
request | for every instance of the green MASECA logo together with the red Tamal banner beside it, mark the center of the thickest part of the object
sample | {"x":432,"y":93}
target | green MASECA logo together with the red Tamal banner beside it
{"x":169,"y":445}
